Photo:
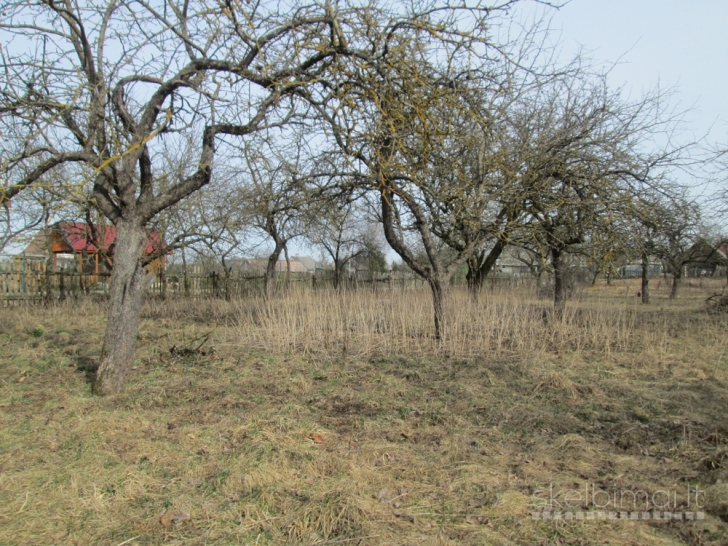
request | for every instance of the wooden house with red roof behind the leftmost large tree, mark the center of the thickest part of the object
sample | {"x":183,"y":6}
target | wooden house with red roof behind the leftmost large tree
{"x":77,"y":247}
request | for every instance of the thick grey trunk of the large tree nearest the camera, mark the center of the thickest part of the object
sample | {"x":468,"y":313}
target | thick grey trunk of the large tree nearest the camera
{"x":125,"y":303}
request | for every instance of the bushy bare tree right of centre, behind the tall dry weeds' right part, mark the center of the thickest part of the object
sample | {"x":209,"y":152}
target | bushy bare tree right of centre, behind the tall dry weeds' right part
{"x":585,"y":156}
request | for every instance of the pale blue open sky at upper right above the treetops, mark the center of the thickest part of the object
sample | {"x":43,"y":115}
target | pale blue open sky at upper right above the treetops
{"x":681,"y":43}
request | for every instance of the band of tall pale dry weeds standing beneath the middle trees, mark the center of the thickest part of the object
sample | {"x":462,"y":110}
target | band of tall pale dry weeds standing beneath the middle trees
{"x":501,"y":324}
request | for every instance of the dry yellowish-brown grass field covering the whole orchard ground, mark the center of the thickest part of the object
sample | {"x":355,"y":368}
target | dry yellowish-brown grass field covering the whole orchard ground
{"x":327,"y":419}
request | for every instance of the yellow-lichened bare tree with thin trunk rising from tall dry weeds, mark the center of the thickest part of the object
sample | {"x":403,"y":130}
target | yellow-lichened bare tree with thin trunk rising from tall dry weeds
{"x":399,"y":124}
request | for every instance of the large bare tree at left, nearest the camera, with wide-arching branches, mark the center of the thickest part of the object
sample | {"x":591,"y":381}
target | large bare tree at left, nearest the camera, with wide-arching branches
{"x":102,"y":83}
